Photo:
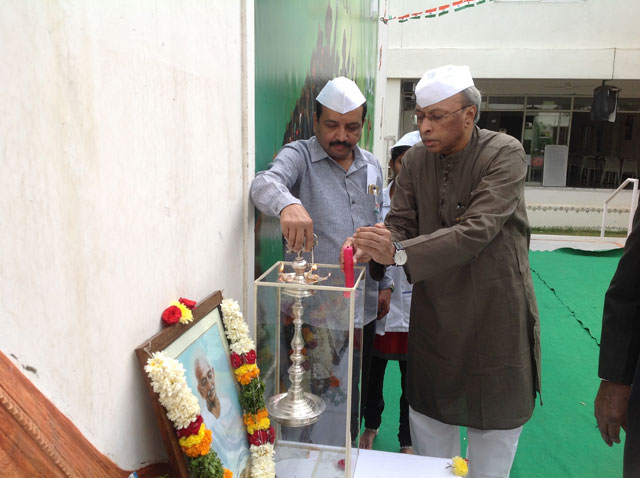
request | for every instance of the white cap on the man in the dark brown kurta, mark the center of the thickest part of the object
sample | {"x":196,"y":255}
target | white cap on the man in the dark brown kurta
{"x":442,"y":83}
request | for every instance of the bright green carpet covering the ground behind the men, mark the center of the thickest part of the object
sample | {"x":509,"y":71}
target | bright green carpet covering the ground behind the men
{"x":561,"y":440}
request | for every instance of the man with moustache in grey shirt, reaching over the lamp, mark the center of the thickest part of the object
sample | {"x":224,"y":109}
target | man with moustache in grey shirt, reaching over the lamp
{"x":329,"y":186}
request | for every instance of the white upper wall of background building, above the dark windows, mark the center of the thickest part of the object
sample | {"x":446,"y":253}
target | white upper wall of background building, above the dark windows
{"x":520,"y":39}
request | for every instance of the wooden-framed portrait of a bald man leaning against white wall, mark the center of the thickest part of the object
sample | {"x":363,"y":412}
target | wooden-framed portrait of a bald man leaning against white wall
{"x":202,"y":348}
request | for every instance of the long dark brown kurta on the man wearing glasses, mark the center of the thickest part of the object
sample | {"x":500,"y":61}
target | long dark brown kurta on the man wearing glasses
{"x":474,"y":336}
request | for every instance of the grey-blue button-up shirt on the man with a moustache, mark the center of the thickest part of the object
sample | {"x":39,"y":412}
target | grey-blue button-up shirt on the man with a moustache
{"x":337,"y":200}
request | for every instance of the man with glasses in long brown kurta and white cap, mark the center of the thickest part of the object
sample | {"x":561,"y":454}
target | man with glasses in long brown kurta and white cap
{"x":458,"y":224}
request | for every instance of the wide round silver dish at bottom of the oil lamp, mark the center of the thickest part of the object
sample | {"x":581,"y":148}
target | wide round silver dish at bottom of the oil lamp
{"x":295,"y":413}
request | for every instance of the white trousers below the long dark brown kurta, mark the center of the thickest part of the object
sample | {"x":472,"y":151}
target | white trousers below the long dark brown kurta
{"x":490,"y":452}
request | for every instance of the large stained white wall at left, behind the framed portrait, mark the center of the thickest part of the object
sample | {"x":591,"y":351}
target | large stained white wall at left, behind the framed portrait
{"x":123,"y":188}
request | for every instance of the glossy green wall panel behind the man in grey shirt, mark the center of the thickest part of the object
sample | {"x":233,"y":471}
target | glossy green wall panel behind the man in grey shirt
{"x":299,"y":46}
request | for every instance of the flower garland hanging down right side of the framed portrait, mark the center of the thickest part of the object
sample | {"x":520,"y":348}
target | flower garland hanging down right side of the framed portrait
{"x":243,"y":358}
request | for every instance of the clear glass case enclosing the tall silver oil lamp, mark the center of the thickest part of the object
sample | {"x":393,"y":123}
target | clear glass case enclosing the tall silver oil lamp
{"x":309,"y":335}
